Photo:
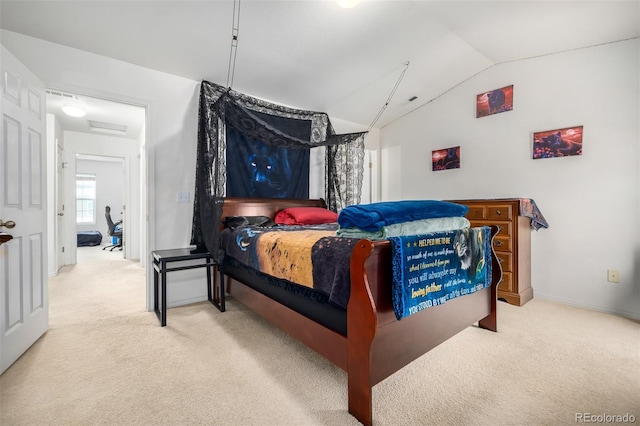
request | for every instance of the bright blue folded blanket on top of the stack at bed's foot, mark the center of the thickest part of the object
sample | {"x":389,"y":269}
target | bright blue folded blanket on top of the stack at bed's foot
{"x":372,"y":217}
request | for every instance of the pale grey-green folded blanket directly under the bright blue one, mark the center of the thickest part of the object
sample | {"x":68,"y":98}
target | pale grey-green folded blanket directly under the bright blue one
{"x":415,"y":227}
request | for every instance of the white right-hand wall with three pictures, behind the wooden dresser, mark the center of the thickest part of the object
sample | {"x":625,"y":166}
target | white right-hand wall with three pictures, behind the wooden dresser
{"x":591,"y":202}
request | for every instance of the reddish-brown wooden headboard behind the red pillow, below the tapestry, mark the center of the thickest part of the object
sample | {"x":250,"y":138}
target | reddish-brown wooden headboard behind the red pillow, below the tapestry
{"x":236,"y":206}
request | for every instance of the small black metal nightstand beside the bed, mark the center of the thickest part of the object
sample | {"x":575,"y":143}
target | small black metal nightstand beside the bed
{"x":161,"y":259}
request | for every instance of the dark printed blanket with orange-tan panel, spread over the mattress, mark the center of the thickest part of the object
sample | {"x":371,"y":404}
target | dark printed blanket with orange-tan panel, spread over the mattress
{"x":311,"y":256}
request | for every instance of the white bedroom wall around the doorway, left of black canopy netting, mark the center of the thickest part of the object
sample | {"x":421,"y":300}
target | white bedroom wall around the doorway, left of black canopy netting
{"x":172,"y":105}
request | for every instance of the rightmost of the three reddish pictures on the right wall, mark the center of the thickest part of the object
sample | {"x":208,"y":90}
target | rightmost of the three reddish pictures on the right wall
{"x":557,"y":143}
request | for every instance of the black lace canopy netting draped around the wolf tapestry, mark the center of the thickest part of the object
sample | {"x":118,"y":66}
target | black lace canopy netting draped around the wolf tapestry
{"x":273,"y":125}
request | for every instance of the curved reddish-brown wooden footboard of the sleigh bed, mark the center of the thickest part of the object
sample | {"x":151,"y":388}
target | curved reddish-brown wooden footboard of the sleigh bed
{"x":378,"y":344}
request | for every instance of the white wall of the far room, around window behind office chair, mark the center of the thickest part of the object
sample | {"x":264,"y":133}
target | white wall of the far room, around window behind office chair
{"x":110,"y":184}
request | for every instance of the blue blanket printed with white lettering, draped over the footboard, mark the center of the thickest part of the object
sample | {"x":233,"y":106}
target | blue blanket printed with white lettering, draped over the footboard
{"x":432,"y":268}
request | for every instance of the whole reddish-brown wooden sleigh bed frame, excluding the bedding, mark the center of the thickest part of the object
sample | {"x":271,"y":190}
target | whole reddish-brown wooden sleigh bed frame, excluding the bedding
{"x":376,"y":345}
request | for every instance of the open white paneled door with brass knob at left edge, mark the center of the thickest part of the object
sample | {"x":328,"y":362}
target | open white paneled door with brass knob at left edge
{"x":24,"y":299}
